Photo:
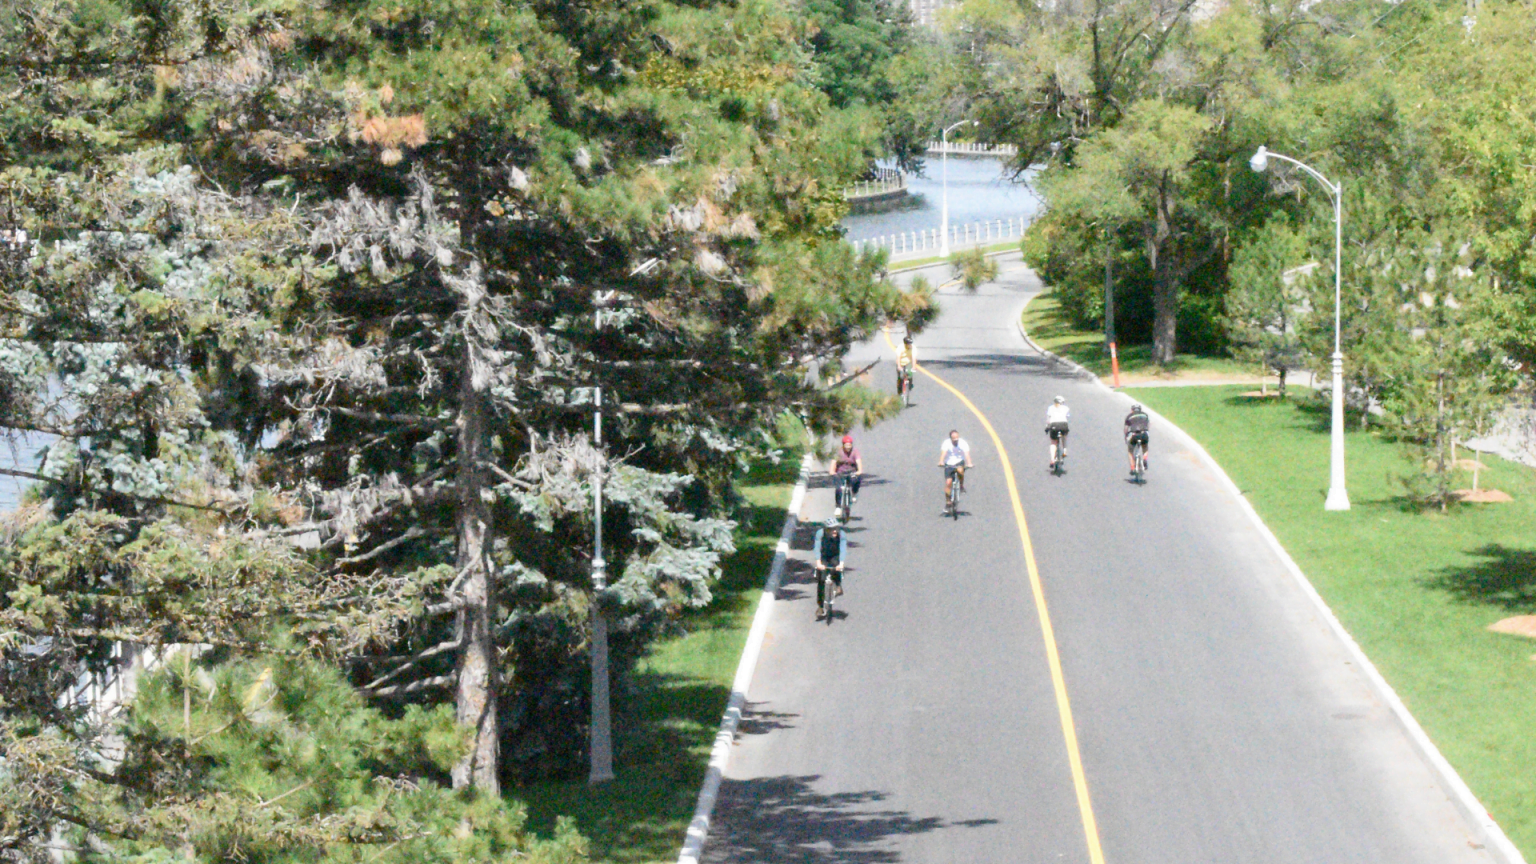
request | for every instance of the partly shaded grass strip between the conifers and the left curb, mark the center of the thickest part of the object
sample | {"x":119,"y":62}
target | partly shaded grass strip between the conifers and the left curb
{"x":663,"y":737}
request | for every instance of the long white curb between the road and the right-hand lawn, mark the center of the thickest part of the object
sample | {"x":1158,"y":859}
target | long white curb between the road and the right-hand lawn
{"x":1451,"y":783}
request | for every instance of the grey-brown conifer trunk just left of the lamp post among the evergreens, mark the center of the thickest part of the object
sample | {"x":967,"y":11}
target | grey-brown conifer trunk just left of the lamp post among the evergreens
{"x":477,"y":666}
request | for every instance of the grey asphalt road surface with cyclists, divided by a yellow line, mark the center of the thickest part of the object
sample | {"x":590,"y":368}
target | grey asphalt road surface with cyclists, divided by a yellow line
{"x":1217,"y":717}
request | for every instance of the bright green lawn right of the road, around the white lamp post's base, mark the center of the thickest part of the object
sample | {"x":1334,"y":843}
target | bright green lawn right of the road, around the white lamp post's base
{"x":1417,"y":591}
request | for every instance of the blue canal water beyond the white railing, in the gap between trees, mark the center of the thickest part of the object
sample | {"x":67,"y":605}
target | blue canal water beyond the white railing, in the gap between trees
{"x":979,"y":191}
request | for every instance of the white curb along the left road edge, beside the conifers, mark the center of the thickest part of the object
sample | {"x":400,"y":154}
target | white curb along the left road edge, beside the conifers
{"x":721,"y":754}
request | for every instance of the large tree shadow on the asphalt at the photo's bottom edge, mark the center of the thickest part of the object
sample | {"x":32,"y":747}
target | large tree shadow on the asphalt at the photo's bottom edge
{"x":784,"y":820}
